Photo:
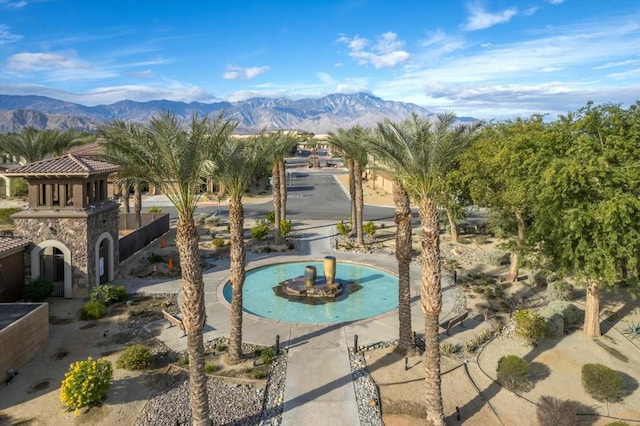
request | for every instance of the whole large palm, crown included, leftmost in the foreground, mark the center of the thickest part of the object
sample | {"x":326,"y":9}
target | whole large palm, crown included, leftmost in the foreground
{"x":177,"y":161}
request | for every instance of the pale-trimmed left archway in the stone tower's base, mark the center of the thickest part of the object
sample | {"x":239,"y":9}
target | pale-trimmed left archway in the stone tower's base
{"x":52,"y":260}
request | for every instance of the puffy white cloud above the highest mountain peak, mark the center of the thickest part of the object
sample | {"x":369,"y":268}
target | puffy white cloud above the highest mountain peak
{"x":386,"y":52}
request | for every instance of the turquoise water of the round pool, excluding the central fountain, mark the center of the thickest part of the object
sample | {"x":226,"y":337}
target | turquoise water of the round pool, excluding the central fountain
{"x":379,"y":294}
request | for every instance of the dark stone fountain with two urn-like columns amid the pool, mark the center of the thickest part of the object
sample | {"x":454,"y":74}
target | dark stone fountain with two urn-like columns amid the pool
{"x":310,"y":288}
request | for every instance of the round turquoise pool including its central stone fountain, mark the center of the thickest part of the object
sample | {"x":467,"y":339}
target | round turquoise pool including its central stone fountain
{"x":320,"y":291}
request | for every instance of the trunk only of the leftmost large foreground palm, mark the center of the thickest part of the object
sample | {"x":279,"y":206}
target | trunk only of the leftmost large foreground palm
{"x":193,"y":317}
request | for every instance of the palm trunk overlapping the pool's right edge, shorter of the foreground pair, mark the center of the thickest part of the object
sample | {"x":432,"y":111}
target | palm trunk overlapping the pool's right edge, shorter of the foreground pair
{"x":403,"y":256}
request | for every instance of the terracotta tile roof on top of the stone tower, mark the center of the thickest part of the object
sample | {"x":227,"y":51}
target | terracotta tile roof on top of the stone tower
{"x":65,"y":165}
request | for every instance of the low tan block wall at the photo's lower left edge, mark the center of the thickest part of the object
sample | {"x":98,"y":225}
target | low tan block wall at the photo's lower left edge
{"x":23,"y":338}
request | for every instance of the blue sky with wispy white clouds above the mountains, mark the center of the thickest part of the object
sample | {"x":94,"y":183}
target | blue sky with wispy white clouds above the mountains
{"x":487,"y":59}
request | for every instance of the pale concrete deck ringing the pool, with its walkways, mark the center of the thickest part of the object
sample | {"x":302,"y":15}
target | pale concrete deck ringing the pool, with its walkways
{"x":317,"y":392}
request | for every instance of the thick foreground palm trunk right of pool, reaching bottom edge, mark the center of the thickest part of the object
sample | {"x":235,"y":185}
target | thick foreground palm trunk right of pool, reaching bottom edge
{"x":431,"y":302}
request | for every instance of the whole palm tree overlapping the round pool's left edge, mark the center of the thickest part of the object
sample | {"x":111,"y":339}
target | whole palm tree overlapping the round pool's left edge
{"x":238,"y":161}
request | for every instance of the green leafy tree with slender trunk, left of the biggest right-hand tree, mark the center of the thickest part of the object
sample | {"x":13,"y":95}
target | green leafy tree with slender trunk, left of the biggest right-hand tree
{"x":502,"y":170}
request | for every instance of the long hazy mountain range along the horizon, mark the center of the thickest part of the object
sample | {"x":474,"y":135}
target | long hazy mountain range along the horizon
{"x":317,"y":115}
